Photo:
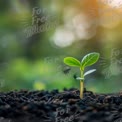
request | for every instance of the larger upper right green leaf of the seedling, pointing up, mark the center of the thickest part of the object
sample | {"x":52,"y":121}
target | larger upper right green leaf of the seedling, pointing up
{"x":89,"y":59}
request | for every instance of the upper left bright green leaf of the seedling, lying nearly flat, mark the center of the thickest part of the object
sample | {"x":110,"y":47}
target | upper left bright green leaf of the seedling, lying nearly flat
{"x":72,"y":61}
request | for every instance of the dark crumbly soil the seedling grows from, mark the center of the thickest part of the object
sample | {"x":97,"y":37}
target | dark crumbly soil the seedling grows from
{"x":66,"y":106}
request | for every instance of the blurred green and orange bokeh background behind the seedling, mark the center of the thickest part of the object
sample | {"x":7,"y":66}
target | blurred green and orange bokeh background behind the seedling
{"x":35,"y":36}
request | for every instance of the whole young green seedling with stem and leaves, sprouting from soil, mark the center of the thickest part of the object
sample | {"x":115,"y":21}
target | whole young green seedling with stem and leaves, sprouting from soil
{"x":87,"y":60}
